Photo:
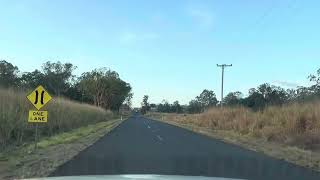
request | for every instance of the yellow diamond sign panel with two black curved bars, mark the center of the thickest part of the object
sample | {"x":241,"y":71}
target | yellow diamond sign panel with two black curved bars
{"x":39,"y":97}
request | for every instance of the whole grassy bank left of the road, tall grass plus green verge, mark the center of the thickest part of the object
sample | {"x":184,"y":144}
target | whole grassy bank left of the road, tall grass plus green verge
{"x":71,"y":127}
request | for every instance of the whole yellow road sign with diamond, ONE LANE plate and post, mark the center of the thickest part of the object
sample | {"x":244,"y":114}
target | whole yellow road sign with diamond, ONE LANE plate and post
{"x":38,"y":98}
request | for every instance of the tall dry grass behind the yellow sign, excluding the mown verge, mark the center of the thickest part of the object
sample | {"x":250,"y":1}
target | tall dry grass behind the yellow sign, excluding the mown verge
{"x":63,"y":115}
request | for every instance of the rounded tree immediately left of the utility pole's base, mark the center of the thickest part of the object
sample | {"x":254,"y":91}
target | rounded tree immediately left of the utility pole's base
{"x":207,"y":99}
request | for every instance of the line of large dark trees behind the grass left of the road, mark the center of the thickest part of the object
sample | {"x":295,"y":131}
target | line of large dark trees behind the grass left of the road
{"x":101,"y":87}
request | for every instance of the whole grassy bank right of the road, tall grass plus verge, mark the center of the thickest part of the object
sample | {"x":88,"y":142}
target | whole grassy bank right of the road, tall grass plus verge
{"x":290,"y":132}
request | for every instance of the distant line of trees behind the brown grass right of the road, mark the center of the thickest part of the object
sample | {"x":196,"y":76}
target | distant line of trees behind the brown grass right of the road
{"x":258,"y":98}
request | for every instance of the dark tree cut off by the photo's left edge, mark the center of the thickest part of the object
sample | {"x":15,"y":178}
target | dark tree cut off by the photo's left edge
{"x":8,"y":75}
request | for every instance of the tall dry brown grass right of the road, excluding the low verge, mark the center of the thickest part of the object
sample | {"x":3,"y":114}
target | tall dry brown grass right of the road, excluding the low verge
{"x":294,"y":124}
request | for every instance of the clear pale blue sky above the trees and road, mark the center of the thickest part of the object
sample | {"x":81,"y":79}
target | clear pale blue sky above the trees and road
{"x":168,"y":49}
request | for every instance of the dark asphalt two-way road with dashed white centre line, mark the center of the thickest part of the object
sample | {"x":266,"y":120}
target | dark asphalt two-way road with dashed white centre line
{"x":144,"y":146}
